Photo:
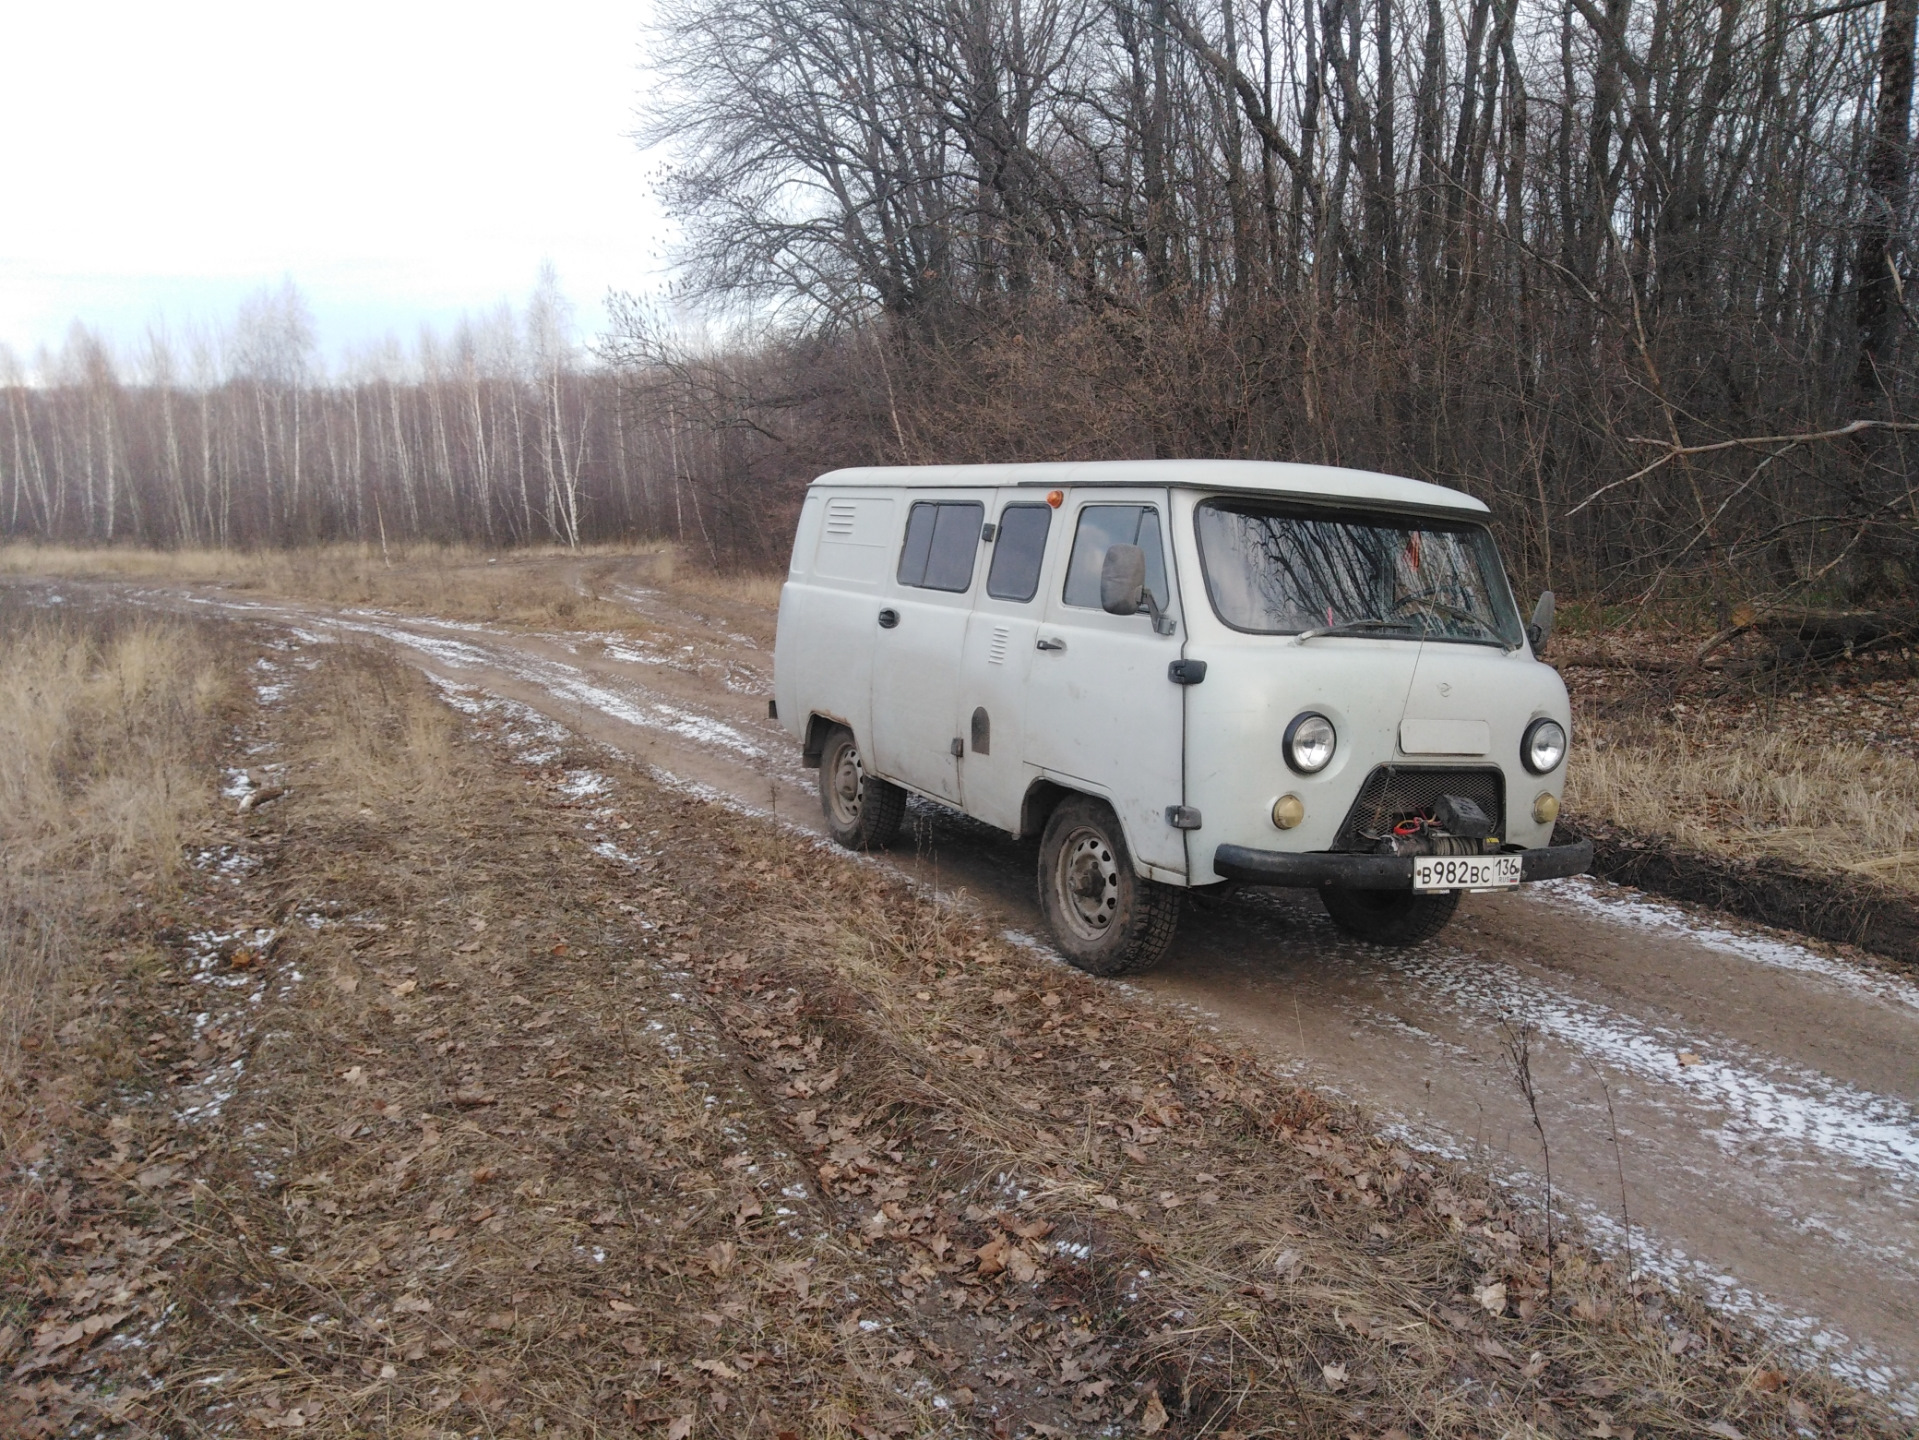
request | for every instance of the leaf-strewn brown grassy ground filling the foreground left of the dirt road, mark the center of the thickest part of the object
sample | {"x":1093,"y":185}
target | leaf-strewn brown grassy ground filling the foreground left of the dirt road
{"x":479,"y":1086}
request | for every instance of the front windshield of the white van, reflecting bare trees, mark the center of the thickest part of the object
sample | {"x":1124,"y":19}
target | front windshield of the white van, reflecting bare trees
{"x":1291,"y":569}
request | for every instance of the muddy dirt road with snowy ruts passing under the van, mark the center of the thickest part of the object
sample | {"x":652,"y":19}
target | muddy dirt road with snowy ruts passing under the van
{"x":1765,"y":1093}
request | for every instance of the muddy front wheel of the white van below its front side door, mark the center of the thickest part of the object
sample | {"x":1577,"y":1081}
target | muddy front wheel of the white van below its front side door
{"x":1106,"y":919}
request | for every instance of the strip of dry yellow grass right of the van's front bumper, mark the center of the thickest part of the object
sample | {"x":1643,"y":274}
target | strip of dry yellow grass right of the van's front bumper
{"x":1757,"y":792}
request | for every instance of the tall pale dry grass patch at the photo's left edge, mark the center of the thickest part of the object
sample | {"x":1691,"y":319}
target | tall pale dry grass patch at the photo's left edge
{"x":107,"y":736}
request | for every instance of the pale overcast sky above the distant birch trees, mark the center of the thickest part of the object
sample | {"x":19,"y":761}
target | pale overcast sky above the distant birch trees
{"x":402,"y":160}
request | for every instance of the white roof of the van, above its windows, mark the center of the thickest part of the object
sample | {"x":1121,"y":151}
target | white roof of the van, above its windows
{"x":1256,"y":477}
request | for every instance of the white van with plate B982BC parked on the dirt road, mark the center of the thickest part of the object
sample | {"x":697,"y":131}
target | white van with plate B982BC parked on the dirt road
{"x":1181,"y":677}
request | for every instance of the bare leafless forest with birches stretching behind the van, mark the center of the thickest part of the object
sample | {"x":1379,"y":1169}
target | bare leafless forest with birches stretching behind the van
{"x":1634,"y":272}
